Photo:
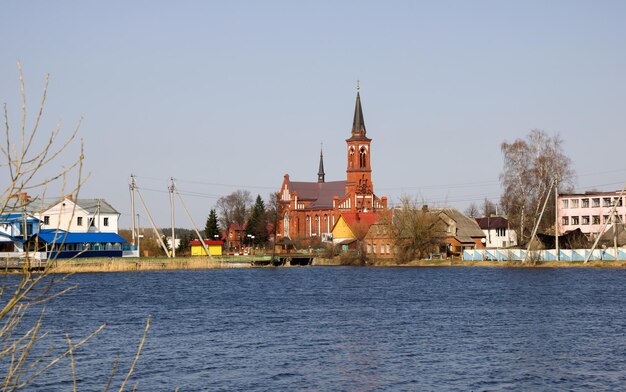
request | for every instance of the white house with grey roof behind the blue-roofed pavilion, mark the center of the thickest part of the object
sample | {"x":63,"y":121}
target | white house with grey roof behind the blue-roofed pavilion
{"x":79,"y":216}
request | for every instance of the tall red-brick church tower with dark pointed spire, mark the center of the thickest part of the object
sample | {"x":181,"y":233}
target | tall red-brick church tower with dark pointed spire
{"x":359,"y":171}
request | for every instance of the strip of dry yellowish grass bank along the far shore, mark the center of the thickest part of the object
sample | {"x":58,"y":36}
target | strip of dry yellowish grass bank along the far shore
{"x":199,"y":263}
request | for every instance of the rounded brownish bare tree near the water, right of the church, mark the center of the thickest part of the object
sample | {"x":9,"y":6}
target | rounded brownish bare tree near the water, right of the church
{"x":416,"y":232}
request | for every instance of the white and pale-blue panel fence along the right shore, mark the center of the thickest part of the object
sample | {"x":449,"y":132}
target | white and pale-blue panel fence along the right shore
{"x":543,"y":255}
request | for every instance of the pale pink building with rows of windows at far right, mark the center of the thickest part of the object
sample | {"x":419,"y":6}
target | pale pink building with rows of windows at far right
{"x":588,"y":211}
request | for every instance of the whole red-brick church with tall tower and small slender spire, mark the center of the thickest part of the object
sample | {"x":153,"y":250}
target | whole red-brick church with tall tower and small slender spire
{"x":310,"y":209}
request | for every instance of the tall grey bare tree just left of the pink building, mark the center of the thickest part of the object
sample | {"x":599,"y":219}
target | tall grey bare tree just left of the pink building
{"x":530,"y":166}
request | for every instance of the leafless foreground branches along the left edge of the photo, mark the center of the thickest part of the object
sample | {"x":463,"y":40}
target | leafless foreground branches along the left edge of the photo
{"x":25,"y":158}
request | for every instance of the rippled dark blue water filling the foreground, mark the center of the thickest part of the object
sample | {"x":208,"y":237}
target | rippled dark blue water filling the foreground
{"x":346,"y":328}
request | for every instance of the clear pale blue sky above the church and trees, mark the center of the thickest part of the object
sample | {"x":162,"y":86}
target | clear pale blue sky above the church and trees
{"x":228,"y":95}
